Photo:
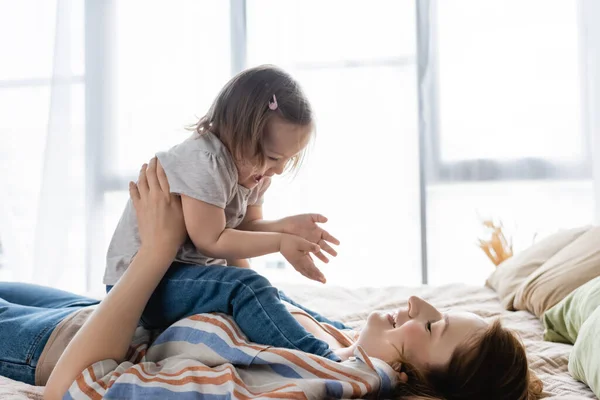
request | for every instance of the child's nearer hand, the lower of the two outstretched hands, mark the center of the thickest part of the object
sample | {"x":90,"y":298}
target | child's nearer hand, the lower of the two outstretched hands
{"x":296,"y":251}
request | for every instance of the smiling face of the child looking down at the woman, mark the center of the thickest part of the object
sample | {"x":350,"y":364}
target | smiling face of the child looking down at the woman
{"x":282,"y":142}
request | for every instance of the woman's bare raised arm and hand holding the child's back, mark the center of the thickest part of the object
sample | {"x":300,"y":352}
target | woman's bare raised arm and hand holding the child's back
{"x":108,"y":332}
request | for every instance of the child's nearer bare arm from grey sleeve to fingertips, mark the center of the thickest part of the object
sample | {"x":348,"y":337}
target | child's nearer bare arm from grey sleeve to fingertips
{"x":205,"y":225}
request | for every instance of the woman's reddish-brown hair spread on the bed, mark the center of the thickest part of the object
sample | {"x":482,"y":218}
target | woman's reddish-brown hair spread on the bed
{"x":488,"y":366}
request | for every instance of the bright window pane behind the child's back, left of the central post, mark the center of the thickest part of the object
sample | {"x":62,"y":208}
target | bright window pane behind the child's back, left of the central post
{"x":168,"y":60}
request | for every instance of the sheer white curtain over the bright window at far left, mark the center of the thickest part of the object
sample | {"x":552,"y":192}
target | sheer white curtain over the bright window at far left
{"x":41,"y":136}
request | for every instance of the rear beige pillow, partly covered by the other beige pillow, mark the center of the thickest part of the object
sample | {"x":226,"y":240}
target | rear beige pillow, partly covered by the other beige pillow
{"x":508,"y":276}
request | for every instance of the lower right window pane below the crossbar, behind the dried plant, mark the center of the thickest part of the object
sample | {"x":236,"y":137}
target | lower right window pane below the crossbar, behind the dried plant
{"x":529,"y":210}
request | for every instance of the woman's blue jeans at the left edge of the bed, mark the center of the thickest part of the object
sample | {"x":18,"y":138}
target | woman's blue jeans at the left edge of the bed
{"x":28,"y":315}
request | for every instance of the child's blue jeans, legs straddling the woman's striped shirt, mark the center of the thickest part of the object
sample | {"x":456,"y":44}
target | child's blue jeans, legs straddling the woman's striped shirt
{"x":242,"y":293}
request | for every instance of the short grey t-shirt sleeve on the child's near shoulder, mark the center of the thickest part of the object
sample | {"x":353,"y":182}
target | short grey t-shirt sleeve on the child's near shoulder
{"x":198,"y":173}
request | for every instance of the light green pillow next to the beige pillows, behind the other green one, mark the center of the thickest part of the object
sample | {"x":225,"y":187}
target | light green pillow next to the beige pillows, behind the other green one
{"x":563,"y":321}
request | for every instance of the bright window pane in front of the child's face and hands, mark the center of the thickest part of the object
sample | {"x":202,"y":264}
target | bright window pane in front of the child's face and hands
{"x":356,"y":61}
